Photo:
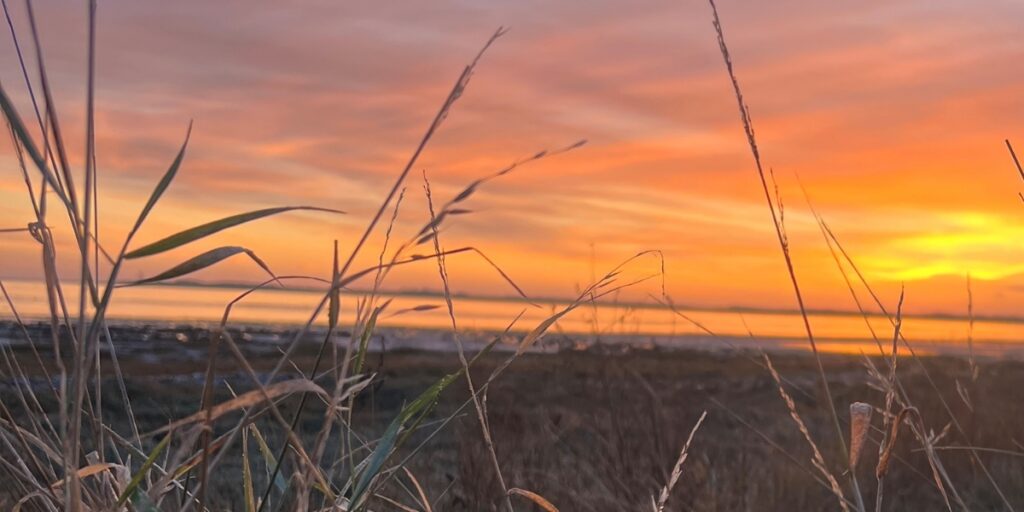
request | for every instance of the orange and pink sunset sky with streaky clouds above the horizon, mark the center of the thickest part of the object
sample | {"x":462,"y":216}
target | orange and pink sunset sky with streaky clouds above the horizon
{"x":891,"y":114}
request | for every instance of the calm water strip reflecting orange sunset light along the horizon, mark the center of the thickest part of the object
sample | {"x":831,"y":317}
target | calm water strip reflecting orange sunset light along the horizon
{"x":846,"y":333}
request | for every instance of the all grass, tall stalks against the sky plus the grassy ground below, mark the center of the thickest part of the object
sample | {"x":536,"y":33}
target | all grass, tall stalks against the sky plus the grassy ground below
{"x":296,"y":432}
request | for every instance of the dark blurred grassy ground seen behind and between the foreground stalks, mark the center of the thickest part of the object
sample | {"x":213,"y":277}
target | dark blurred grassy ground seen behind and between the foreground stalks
{"x":604,"y":432}
